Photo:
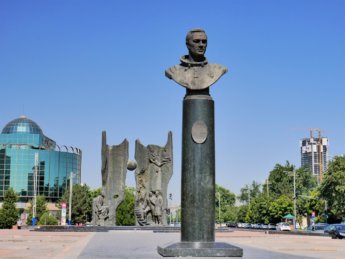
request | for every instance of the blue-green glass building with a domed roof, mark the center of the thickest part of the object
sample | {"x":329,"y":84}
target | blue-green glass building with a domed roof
{"x":21,"y":140}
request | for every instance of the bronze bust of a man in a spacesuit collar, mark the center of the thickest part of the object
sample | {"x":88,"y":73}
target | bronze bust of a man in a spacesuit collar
{"x":194,"y":72}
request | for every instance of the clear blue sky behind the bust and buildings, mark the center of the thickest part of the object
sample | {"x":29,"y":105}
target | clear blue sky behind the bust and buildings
{"x":80,"y":67}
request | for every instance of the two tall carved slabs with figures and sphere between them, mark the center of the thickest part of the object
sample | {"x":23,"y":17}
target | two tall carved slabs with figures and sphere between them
{"x":153,"y":170}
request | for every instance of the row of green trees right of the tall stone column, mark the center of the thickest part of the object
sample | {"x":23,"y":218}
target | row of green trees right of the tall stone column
{"x":271,"y":201}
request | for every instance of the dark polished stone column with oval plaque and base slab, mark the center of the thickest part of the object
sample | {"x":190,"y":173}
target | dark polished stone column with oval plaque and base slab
{"x":198,"y":183}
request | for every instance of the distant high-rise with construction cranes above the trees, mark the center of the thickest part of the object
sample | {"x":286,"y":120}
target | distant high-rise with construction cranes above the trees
{"x":314,"y":154}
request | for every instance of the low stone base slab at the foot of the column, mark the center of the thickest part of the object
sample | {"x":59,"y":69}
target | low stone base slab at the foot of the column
{"x":200,"y":249}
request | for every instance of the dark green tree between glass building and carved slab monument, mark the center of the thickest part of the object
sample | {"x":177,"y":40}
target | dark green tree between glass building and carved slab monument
{"x":81,"y":203}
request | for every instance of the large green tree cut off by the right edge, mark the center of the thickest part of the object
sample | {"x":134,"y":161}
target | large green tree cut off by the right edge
{"x":332,"y":188}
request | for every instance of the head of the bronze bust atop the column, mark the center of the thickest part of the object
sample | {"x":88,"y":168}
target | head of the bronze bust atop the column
{"x":196,"y":41}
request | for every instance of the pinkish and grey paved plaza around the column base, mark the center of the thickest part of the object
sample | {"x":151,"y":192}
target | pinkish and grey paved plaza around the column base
{"x":143,"y":244}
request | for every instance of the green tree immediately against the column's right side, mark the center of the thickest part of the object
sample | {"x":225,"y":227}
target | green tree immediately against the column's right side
{"x":226,"y":202}
